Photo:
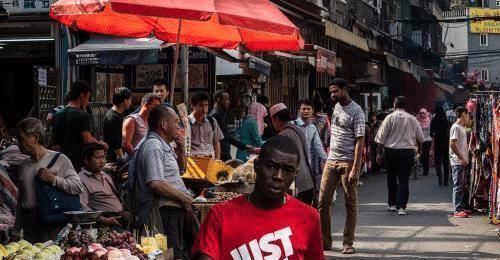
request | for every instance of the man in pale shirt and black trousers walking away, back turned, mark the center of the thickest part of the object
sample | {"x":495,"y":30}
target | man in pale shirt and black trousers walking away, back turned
{"x":399,"y":134}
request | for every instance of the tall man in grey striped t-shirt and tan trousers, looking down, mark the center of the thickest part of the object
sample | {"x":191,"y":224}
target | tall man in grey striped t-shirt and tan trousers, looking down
{"x":343,"y":164}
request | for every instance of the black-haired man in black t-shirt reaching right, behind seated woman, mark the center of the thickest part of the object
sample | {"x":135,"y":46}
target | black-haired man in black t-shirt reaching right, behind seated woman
{"x":72,"y":124}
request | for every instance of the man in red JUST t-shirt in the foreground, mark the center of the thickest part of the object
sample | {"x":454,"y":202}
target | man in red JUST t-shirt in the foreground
{"x":267,"y":223}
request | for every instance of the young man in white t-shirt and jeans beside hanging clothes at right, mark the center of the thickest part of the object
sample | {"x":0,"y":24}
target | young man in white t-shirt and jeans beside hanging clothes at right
{"x":459,"y":159}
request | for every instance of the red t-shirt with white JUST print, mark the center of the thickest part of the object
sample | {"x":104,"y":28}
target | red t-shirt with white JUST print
{"x":239,"y":230}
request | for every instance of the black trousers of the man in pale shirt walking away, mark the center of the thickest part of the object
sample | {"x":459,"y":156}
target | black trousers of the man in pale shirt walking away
{"x":399,"y":166}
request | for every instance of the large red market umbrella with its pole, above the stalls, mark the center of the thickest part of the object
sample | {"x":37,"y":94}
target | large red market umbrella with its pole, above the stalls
{"x":256,"y":24}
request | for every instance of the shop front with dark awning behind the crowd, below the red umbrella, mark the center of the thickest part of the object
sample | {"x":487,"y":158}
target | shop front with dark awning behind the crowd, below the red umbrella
{"x":108,"y":63}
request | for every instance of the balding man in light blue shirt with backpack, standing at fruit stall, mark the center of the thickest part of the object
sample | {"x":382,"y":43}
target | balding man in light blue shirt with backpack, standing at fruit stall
{"x":156,"y":181}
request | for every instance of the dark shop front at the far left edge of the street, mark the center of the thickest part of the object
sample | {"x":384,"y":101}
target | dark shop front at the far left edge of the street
{"x":27,"y":58}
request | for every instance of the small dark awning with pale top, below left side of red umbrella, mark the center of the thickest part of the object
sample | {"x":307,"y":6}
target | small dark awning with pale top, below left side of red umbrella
{"x":102,"y":50}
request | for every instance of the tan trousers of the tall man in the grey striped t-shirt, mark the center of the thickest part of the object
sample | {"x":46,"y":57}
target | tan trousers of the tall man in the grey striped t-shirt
{"x":336,"y":172}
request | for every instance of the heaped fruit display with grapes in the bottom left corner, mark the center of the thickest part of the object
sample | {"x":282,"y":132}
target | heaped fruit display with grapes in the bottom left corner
{"x":81,"y":241}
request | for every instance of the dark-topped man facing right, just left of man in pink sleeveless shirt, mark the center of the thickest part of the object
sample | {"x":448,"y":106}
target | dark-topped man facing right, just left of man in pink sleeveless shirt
{"x":113,"y":123}
